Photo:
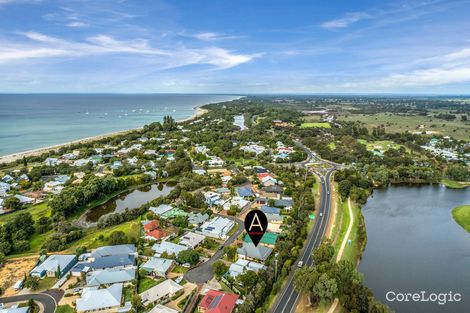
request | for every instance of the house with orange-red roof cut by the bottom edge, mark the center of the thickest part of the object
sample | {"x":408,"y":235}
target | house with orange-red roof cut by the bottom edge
{"x":218,"y":302}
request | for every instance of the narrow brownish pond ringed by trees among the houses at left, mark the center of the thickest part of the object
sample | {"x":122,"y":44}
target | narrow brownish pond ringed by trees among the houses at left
{"x":130,"y":199}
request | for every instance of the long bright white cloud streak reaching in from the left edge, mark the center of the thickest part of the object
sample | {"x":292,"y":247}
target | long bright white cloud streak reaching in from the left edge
{"x":43,"y":46}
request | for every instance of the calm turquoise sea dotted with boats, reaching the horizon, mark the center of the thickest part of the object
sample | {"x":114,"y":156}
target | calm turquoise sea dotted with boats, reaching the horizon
{"x":40,"y":120}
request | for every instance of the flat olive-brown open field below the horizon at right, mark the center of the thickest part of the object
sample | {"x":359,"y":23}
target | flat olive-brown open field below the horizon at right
{"x":402,"y":123}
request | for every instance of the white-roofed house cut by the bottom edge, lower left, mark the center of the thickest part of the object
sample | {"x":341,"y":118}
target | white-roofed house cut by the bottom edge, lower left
{"x":103,"y":300}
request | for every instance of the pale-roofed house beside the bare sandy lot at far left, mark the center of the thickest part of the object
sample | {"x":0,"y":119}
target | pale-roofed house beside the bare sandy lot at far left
{"x":54,"y":265}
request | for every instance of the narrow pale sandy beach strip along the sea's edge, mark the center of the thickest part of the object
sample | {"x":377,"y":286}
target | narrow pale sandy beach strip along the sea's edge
{"x":198,"y":111}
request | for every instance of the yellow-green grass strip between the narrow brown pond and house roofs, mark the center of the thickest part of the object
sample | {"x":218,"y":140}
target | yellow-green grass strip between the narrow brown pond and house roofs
{"x":91,"y":240}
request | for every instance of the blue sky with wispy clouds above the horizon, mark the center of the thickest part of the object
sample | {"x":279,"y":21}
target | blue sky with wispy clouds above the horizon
{"x":238,"y":46}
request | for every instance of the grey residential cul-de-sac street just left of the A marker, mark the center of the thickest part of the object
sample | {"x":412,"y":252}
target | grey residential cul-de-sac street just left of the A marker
{"x":203,"y":272}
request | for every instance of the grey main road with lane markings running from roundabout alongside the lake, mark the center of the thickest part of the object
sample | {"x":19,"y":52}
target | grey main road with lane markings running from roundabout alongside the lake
{"x":288,"y":299}
